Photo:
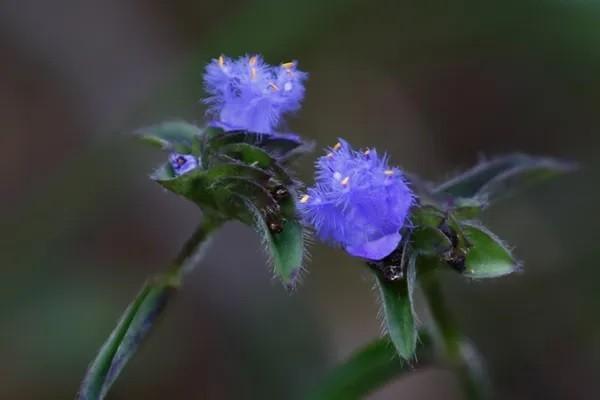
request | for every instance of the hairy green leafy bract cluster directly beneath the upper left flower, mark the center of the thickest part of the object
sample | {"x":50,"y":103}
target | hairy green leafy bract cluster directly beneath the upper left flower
{"x":241,"y":176}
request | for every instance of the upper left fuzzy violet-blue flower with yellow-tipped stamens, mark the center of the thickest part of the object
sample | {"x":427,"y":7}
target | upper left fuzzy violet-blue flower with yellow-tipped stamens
{"x":247,"y":94}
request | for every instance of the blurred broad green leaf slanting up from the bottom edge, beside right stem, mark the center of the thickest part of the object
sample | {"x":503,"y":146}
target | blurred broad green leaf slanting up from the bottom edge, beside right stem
{"x":368,"y":369}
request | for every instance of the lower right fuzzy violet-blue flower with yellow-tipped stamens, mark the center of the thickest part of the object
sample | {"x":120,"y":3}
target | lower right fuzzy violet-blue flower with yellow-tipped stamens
{"x":358,"y":202}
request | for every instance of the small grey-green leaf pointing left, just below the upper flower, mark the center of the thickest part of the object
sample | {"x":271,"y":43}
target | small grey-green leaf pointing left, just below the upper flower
{"x":179,"y":136}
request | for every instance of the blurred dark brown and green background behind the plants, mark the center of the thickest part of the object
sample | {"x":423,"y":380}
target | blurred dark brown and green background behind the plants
{"x":437,"y":84}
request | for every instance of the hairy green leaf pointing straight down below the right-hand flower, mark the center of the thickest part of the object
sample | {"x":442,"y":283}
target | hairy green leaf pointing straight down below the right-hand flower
{"x":398,"y":311}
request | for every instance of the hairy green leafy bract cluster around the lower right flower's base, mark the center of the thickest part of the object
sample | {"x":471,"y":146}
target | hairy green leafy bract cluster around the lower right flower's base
{"x":445,"y":234}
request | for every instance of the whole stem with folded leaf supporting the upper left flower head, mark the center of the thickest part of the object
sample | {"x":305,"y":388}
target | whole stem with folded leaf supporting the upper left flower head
{"x":140,"y":316}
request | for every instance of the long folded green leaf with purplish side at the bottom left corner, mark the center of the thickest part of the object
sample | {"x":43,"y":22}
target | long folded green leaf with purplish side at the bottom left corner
{"x":125,"y":339}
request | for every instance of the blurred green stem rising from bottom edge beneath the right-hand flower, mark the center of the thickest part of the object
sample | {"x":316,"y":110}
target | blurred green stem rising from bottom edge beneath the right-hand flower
{"x":457,"y":350}
